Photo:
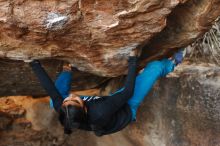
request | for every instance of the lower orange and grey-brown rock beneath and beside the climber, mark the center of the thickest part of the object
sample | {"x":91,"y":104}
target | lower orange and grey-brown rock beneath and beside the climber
{"x":181,"y":110}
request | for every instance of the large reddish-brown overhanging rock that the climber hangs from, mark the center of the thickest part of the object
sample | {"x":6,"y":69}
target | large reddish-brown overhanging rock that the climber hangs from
{"x":97,"y":35}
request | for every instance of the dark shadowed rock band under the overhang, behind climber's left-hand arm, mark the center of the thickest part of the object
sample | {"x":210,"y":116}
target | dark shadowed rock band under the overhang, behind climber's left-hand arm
{"x":17,"y":78}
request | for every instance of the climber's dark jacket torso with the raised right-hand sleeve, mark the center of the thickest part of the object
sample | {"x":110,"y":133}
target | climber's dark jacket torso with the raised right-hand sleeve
{"x":109,"y":114}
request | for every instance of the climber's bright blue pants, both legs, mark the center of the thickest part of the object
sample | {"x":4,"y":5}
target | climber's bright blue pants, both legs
{"x":144,"y":82}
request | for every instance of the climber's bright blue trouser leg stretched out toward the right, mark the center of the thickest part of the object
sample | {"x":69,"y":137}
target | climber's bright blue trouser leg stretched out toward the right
{"x":145,"y":81}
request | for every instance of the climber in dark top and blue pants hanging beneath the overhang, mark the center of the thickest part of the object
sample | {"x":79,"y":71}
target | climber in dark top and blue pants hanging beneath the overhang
{"x":108,"y":114}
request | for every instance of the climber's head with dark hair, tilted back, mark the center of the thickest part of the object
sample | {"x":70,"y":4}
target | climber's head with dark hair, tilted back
{"x":72,"y":113}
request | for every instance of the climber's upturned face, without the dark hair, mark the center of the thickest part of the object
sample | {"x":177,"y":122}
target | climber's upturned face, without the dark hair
{"x":74,"y":100}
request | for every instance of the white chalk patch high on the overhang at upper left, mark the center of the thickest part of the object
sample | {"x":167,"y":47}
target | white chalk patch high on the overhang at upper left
{"x":55,"y":21}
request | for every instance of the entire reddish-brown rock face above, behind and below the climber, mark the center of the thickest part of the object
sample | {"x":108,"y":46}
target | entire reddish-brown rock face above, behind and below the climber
{"x":97,"y":36}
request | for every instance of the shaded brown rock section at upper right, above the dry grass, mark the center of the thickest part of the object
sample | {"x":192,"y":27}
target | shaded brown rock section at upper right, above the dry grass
{"x":185,"y":24}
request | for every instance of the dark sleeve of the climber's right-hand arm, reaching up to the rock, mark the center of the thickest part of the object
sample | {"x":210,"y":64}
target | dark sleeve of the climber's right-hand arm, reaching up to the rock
{"x":102,"y":110}
